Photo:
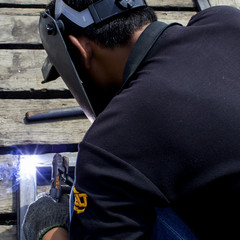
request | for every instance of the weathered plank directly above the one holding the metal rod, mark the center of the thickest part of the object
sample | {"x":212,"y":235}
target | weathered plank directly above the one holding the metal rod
{"x":20,"y":70}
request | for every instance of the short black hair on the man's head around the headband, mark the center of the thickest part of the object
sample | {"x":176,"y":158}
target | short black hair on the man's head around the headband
{"x":117,"y":32}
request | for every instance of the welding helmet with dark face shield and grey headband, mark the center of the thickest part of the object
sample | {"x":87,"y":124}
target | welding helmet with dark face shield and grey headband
{"x":60,"y":59}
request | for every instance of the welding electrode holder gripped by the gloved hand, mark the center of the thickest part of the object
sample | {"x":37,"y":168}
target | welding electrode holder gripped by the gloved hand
{"x":61,"y":182}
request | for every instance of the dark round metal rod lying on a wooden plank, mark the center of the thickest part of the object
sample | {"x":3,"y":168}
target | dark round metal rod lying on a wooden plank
{"x":54,"y":113}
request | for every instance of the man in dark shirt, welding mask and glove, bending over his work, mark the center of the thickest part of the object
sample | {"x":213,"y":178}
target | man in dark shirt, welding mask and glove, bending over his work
{"x":162,"y":157}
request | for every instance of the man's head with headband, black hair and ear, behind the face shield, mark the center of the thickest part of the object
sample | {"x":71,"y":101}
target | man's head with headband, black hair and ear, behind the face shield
{"x":99,"y":51}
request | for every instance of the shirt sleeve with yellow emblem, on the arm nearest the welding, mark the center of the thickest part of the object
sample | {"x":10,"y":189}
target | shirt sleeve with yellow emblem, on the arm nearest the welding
{"x":113,"y":200}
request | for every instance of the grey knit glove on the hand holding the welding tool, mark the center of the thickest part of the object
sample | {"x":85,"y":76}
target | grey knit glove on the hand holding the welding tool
{"x":45,"y":214}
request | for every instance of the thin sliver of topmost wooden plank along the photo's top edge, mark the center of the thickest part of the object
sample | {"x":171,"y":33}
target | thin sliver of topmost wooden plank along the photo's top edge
{"x":174,"y":3}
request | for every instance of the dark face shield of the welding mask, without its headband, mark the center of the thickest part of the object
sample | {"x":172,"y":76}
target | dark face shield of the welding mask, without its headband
{"x":59,"y":62}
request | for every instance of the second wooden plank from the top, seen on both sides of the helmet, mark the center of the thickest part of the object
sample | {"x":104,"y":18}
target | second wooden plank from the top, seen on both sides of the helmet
{"x":21,"y":25}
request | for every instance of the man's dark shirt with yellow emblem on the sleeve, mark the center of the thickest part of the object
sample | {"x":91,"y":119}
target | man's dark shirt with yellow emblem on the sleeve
{"x":170,"y":137}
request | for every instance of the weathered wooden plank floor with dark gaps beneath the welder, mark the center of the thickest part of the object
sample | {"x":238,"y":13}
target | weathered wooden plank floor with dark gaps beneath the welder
{"x":21,"y":58}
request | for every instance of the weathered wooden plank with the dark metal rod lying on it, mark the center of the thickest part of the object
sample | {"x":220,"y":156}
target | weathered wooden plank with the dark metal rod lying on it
{"x":14,"y":131}
